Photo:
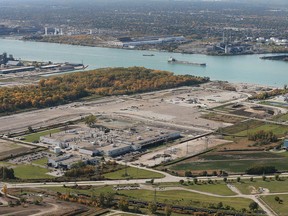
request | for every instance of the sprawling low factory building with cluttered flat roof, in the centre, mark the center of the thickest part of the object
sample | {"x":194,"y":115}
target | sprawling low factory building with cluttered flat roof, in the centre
{"x":110,"y":143}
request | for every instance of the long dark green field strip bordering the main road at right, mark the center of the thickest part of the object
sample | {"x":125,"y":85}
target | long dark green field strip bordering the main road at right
{"x":231,"y":166}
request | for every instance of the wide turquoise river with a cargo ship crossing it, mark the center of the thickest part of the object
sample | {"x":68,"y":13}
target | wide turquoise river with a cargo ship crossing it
{"x":245,"y":68}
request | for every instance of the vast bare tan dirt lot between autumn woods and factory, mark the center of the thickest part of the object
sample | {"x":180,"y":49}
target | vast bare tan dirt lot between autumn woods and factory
{"x":180,"y":108}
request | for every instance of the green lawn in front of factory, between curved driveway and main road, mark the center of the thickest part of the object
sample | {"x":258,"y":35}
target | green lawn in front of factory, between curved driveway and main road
{"x":133,"y":173}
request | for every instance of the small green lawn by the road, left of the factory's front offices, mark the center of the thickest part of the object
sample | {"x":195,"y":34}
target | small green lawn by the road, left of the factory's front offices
{"x":31,"y":172}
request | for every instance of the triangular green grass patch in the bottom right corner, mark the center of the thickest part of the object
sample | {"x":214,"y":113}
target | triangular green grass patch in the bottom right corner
{"x":280,"y":209}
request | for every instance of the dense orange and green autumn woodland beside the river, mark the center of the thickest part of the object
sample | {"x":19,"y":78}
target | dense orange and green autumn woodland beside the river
{"x":108,"y":81}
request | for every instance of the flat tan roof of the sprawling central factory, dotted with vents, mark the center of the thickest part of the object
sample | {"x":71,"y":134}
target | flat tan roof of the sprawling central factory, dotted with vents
{"x":94,"y":138}
